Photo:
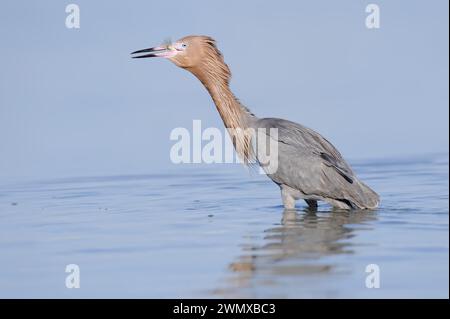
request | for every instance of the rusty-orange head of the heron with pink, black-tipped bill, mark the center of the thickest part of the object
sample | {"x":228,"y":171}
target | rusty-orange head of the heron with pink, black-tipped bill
{"x":195,"y":53}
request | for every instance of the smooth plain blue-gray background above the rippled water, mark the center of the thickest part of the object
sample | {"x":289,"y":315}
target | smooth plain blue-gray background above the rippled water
{"x":72,"y":102}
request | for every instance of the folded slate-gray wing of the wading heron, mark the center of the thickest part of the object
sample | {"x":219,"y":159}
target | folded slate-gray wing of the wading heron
{"x":311,"y":164}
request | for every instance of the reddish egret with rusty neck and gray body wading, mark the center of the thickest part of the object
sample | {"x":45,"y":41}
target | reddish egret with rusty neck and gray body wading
{"x":309,"y":167}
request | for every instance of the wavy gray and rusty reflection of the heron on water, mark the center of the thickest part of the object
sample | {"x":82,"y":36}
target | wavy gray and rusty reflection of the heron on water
{"x":296,"y":247}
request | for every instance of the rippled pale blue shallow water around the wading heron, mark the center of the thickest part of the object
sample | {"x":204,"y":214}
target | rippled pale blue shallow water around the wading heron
{"x":219,"y":231}
